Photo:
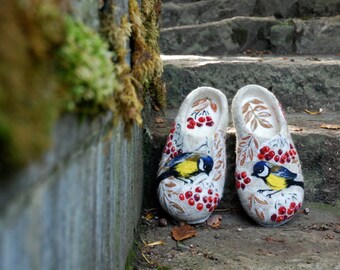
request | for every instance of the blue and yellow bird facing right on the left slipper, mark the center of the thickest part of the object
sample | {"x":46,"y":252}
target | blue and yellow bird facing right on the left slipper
{"x":186,"y":165}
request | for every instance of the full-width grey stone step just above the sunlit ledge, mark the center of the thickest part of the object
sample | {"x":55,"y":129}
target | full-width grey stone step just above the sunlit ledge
{"x":239,"y":34}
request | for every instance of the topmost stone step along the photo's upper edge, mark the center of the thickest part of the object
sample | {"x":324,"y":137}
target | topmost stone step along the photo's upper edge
{"x":186,"y":12}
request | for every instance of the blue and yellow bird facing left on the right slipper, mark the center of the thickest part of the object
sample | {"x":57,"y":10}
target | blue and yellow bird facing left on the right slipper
{"x":276,"y":177}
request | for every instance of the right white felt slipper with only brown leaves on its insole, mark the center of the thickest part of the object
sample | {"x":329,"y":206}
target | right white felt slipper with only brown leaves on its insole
{"x":268,"y":173}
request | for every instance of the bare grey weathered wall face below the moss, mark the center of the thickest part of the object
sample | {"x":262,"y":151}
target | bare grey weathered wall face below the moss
{"x":79,"y":207}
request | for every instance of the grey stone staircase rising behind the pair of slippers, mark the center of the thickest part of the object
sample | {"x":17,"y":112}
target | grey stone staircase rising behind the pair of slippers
{"x":290,"y":47}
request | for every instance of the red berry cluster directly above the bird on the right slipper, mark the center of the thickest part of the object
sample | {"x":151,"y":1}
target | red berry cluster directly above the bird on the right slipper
{"x":283,"y":157}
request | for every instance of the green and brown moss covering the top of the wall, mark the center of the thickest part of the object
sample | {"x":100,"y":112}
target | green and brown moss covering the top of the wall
{"x":59,"y":64}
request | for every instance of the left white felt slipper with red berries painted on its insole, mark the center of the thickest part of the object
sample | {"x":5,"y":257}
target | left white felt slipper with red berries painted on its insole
{"x":192,"y":167}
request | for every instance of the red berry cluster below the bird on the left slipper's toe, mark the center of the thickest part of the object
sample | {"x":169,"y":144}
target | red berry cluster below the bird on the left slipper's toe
{"x":196,"y":199}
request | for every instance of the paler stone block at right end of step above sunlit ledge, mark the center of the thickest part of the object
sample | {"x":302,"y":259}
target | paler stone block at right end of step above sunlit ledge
{"x":318,"y":35}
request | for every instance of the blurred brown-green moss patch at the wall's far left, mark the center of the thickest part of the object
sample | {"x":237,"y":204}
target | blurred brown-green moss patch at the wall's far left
{"x":27,"y":81}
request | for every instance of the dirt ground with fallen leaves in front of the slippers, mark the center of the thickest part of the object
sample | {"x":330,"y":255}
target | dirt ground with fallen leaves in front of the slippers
{"x":306,"y":242}
